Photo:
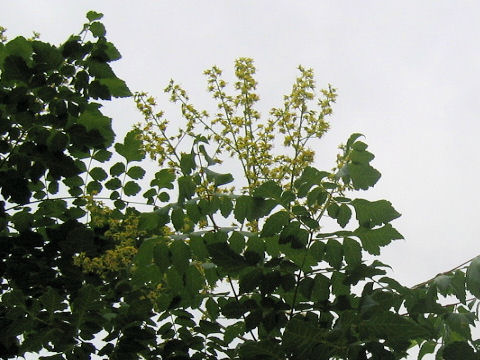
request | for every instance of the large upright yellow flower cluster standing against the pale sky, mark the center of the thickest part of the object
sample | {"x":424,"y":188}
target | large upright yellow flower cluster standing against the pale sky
{"x":274,"y":149}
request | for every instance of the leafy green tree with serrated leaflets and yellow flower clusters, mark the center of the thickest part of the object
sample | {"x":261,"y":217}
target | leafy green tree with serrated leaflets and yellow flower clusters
{"x":278,"y":263}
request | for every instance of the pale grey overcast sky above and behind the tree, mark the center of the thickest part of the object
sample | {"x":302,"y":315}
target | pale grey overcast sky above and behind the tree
{"x":407,"y":74}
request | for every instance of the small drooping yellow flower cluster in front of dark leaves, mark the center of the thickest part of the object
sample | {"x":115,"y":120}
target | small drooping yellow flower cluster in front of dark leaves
{"x":125,"y":234}
